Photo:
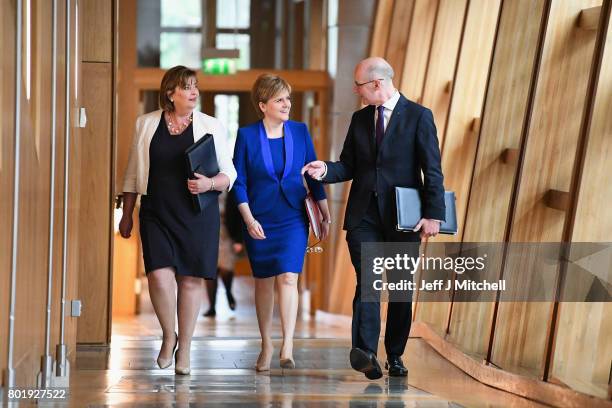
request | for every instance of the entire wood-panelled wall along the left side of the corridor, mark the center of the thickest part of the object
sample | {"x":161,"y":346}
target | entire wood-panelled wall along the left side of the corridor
{"x":88,"y":196}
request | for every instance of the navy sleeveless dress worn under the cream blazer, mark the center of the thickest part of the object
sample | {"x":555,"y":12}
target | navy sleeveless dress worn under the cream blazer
{"x":172,"y":233}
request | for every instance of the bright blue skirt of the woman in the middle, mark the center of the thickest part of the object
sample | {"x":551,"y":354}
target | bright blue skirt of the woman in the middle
{"x":283,"y":250}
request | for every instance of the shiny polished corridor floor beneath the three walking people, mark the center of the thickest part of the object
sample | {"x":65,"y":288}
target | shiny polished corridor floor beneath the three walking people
{"x":223,"y":356}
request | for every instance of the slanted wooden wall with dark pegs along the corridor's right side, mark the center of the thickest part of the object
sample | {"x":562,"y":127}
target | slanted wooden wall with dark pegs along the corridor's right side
{"x":518,"y":90}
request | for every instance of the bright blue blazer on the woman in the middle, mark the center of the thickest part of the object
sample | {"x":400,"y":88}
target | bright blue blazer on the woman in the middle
{"x":256,"y":182}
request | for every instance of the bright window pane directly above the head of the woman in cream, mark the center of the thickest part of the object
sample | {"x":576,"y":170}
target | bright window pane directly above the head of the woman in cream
{"x":180,"y":49}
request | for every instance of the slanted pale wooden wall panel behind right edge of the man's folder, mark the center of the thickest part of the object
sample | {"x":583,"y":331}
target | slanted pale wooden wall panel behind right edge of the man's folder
{"x":459,"y":149}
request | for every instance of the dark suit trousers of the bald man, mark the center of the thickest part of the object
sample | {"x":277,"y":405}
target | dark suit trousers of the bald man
{"x":366,"y":314}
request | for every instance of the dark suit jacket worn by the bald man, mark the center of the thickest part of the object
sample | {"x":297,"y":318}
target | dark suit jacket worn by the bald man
{"x":409,"y":147}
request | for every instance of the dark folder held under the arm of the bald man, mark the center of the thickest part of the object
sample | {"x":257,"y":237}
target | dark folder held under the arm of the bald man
{"x":408,"y":207}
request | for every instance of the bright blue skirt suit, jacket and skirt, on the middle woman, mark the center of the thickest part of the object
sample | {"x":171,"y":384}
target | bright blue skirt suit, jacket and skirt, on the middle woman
{"x":269,"y":180}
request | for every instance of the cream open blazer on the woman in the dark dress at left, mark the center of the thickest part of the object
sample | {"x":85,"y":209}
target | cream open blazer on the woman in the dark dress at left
{"x":137,"y":172}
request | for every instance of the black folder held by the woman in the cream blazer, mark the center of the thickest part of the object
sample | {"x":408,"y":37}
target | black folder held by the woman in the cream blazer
{"x":201,"y":158}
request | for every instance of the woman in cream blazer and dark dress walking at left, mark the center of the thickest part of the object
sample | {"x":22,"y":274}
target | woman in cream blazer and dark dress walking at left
{"x":180,"y":246}
